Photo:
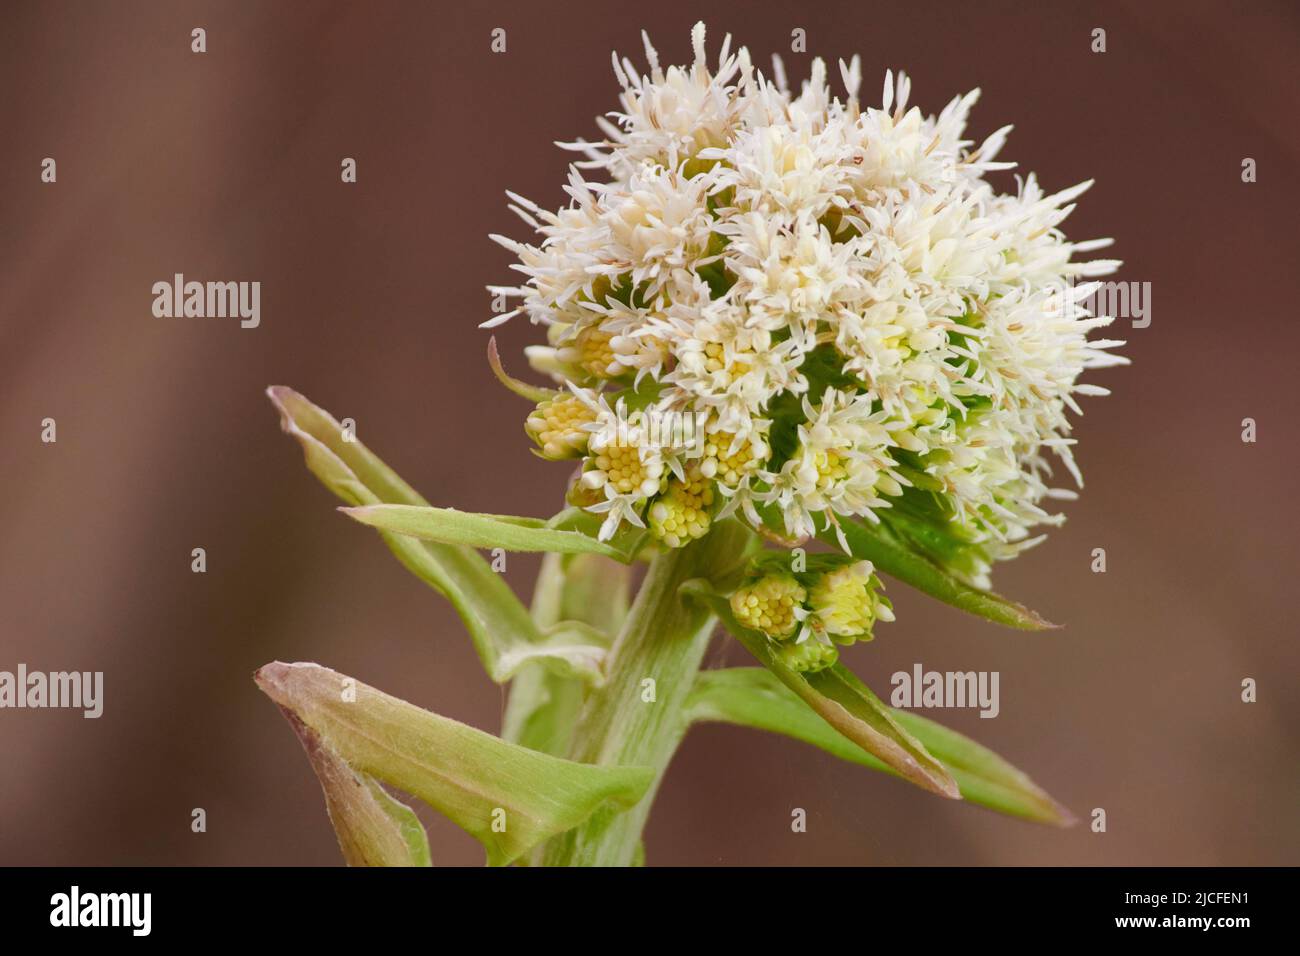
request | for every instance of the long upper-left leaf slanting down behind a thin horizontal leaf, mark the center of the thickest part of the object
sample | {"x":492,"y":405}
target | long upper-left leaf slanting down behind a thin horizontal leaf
{"x":497,"y":621}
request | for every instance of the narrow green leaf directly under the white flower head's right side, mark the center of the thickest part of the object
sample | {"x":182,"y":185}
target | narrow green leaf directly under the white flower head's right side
{"x":879,"y":546}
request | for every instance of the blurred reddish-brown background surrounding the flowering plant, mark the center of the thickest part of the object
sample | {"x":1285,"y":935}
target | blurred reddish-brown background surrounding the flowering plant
{"x":226,"y":166}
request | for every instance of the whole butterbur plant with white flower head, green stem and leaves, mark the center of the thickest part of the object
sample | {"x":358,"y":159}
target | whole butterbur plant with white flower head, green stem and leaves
{"x":794,"y":347}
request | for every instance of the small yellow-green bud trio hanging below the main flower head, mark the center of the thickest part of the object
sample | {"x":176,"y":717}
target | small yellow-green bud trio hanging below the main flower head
{"x":805,"y":615}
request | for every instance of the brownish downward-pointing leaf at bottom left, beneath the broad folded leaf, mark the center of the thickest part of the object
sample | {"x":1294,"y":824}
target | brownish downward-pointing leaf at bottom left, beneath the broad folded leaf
{"x":374,"y":829}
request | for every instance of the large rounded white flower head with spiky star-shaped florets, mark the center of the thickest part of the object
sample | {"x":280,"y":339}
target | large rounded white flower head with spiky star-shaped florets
{"x":861,"y":323}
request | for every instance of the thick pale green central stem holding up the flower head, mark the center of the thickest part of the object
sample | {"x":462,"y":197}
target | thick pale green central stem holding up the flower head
{"x":664,"y":641}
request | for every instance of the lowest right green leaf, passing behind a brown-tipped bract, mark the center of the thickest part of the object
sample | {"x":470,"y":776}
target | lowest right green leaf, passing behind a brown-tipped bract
{"x":753,"y":698}
